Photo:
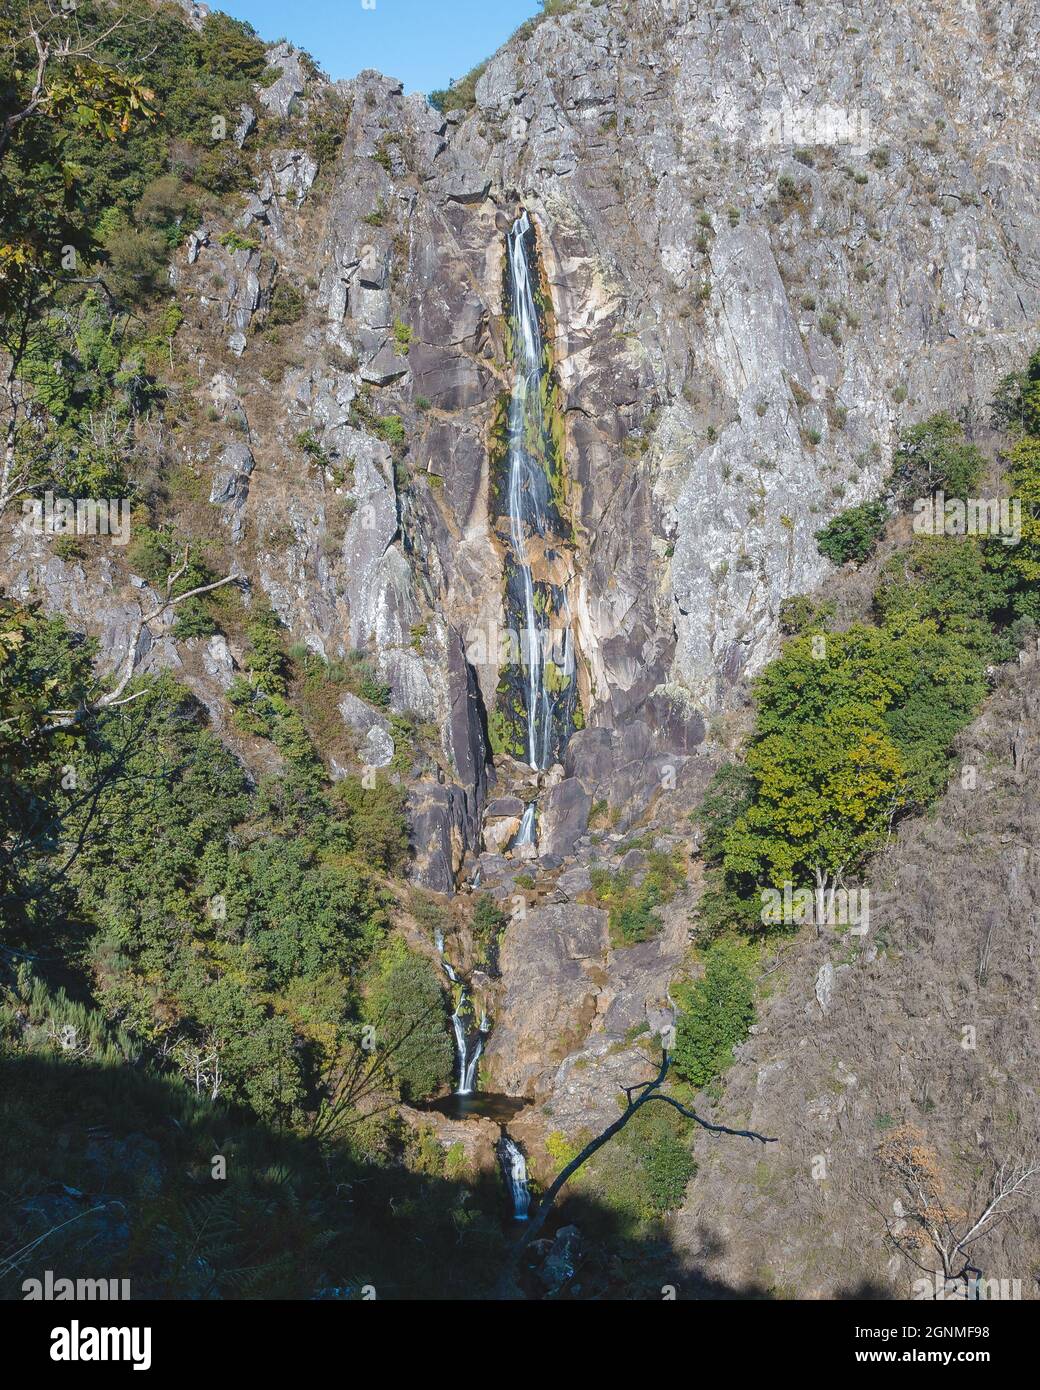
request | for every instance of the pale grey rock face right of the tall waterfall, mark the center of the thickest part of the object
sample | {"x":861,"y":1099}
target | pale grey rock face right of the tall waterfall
{"x":747,"y":340}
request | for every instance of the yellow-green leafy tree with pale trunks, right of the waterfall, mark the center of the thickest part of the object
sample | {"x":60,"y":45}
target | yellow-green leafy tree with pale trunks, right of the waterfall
{"x":853,"y":729}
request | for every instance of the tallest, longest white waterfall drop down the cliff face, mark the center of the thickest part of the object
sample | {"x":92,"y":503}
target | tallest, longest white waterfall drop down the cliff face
{"x":549,"y":672}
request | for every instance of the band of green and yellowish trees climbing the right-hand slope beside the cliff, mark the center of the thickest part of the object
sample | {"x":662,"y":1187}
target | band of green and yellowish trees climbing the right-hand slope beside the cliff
{"x":854,"y":729}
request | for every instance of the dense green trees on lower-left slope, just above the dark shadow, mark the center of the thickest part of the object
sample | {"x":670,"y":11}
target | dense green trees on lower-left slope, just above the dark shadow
{"x":216,"y":919}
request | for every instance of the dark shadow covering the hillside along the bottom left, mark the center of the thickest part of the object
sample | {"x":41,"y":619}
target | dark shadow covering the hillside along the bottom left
{"x":119,"y":1174}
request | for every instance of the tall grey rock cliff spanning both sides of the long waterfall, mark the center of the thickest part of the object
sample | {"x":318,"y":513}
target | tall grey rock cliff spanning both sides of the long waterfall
{"x":771,"y":236}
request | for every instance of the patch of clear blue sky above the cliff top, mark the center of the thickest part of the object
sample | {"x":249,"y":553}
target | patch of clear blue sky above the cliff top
{"x":422,"y":42}
